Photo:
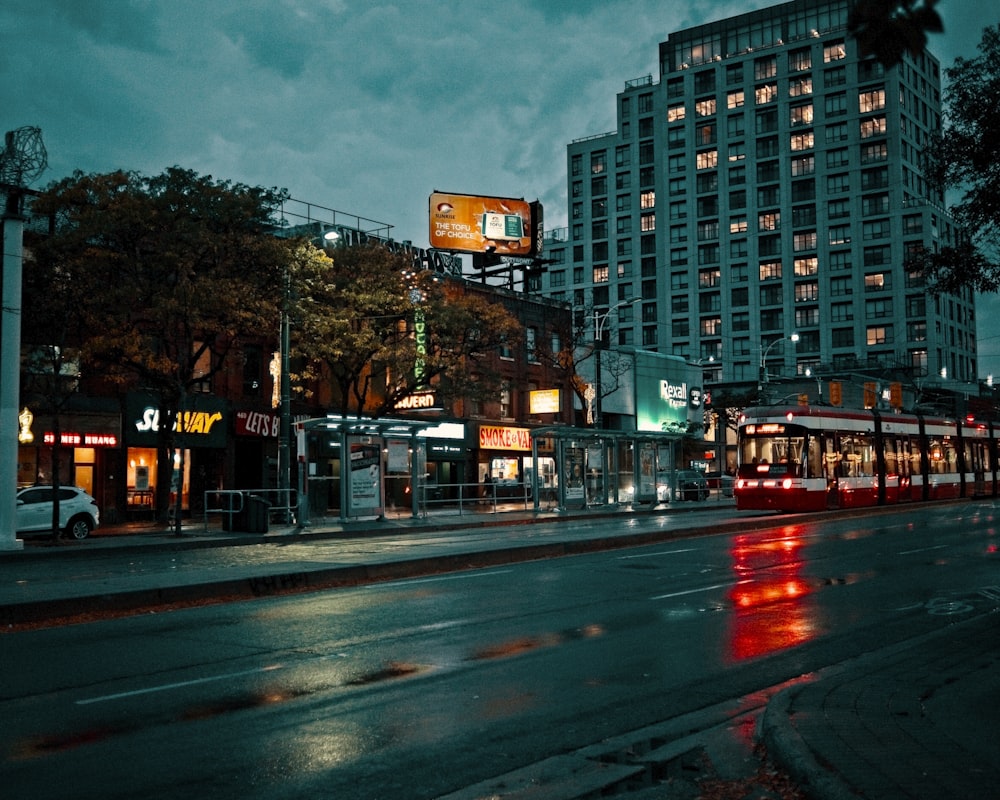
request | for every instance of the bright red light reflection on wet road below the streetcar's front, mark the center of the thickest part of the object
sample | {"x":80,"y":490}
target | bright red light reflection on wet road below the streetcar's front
{"x":770,"y":607}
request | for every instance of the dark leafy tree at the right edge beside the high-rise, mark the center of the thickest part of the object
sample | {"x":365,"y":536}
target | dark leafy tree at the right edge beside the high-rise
{"x":965,"y":156}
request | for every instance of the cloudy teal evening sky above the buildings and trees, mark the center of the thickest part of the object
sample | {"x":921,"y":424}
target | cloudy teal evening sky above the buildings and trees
{"x":364,"y":106}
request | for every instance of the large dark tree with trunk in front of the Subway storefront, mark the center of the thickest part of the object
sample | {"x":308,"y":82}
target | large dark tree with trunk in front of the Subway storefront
{"x":168,"y":272}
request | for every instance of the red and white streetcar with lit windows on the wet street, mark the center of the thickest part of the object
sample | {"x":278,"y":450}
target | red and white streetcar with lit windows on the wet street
{"x":809,"y":458}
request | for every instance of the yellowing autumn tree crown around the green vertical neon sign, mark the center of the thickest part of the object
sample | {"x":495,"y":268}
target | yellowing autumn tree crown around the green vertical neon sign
{"x":376,"y":331}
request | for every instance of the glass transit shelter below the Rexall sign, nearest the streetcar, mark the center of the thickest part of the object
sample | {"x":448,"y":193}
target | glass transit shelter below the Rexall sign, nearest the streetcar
{"x":597,"y":467}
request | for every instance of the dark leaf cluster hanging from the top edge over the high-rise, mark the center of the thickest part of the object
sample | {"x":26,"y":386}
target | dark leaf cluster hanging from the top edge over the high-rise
{"x":887,"y":29}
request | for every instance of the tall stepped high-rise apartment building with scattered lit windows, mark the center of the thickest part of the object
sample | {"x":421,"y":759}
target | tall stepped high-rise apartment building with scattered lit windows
{"x":767,"y":184}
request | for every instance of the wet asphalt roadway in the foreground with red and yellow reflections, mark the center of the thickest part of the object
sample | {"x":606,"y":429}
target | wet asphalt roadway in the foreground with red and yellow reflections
{"x":422,"y":686}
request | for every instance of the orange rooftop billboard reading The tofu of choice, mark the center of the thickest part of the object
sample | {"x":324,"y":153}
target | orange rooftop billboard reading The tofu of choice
{"x":503,"y":226}
